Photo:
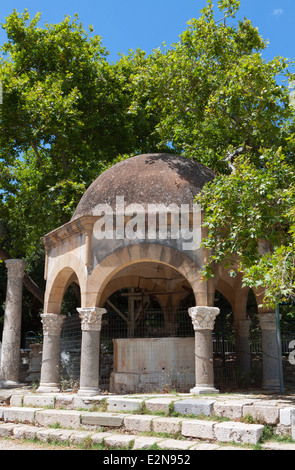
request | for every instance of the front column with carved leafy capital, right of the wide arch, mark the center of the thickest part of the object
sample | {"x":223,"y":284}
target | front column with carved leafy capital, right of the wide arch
{"x":203,"y":319}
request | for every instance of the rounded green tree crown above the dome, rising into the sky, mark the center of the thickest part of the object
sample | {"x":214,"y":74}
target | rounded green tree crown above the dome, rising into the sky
{"x":214,"y":91}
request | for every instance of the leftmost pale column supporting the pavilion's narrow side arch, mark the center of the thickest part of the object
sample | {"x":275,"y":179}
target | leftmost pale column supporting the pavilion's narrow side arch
{"x":52,"y":325}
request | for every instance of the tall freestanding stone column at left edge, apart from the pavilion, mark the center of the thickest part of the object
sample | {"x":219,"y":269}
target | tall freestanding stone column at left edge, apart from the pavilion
{"x":11,"y":338}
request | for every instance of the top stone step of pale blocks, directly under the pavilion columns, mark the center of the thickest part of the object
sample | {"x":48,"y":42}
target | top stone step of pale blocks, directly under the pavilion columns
{"x":268,"y":412}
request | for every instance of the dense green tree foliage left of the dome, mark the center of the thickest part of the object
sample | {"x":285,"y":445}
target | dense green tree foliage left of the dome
{"x":65,"y":118}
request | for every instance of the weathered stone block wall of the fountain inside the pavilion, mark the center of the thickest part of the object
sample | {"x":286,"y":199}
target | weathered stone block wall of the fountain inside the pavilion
{"x":153,"y":364}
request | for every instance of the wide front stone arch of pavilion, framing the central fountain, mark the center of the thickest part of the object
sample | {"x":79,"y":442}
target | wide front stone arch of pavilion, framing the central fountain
{"x":140,"y":253}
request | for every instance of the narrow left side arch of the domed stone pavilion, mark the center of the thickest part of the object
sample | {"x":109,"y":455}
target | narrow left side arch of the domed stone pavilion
{"x":67,"y":269}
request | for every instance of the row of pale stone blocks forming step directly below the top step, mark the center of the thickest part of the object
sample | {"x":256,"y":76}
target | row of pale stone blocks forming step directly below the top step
{"x":188,"y":428}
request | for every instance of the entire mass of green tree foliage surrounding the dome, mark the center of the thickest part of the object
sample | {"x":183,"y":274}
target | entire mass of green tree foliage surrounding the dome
{"x":68,"y":114}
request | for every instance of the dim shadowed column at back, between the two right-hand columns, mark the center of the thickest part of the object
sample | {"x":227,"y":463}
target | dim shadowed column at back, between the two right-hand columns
{"x":242,"y":328}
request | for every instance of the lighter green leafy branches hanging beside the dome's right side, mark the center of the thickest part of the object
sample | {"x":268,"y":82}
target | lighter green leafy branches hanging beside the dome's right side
{"x":249,"y":216}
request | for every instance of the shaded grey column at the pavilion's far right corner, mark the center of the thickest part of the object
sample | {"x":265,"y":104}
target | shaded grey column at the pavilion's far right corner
{"x":270,"y":352}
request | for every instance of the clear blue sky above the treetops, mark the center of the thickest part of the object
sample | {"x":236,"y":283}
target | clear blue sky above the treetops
{"x":130,"y":24}
